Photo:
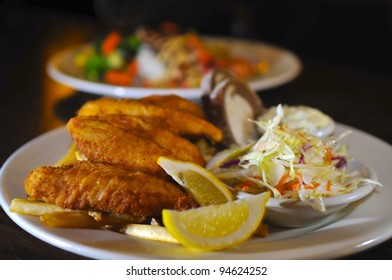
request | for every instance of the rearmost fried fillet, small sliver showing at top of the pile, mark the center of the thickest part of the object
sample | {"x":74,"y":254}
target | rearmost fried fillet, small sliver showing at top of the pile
{"x":175,"y":102}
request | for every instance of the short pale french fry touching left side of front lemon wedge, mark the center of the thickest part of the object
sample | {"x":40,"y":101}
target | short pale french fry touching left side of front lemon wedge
{"x":150,"y":232}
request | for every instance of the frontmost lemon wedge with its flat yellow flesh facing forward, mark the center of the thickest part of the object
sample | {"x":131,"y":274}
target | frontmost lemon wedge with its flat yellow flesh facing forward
{"x":217,"y":227}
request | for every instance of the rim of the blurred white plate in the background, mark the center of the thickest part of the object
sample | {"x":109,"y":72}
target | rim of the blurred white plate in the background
{"x":103,"y":89}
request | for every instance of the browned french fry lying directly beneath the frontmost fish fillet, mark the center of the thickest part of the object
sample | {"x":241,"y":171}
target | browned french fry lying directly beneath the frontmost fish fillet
{"x":87,"y":219}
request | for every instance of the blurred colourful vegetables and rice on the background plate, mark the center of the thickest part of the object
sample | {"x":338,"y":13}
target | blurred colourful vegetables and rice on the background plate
{"x":159,"y":58}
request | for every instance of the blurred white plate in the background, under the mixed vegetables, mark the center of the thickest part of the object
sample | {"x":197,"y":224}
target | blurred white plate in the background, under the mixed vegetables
{"x":284,"y":66}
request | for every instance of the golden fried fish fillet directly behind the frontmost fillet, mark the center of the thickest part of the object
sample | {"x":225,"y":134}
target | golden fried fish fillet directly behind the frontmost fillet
{"x":100,"y":141}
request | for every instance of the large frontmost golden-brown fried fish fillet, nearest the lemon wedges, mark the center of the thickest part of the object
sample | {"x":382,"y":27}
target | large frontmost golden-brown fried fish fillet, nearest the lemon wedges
{"x":103,"y":187}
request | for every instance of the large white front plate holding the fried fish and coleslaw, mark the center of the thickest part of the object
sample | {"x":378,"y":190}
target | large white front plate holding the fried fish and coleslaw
{"x":361,"y":226}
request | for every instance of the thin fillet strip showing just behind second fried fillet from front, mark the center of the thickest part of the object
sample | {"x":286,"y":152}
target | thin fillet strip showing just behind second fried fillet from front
{"x":180,"y":147}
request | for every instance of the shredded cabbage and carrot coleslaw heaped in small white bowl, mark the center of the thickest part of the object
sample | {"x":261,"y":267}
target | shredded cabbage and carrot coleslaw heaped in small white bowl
{"x":290,"y":163}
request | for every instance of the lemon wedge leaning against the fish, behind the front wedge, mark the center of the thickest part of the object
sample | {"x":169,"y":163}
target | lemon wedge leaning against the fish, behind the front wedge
{"x":200,"y":183}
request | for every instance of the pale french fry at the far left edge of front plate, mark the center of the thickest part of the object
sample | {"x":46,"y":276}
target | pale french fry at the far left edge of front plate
{"x":35,"y":208}
